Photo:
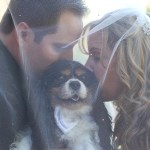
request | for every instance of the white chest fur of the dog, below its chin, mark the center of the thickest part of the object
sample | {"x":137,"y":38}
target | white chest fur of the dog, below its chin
{"x":84,"y":136}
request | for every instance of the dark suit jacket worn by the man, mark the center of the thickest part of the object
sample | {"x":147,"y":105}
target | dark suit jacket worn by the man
{"x":12,"y":99}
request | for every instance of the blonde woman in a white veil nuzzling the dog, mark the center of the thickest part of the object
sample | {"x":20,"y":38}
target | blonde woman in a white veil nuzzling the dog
{"x":119,"y":54}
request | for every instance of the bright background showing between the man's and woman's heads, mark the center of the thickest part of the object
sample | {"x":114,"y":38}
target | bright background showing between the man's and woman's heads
{"x":98,"y":8}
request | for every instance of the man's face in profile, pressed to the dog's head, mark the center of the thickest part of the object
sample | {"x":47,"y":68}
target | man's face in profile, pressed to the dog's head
{"x":53,"y":47}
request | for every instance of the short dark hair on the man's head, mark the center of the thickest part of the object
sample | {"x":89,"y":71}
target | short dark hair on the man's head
{"x":38,"y":13}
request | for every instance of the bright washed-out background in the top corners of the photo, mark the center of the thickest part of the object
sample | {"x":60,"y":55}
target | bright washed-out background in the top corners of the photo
{"x":98,"y":7}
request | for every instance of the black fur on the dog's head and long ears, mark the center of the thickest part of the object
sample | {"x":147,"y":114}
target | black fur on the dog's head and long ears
{"x":49,"y":96}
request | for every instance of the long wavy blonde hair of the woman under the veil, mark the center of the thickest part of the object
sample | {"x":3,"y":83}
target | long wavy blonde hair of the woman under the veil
{"x":132,"y":124}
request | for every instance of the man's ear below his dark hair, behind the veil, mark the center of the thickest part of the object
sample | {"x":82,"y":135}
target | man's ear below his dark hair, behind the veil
{"x":24,"y":31}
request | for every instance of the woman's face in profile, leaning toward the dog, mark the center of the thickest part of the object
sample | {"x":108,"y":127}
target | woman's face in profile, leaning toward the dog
{"x":98,"y":62}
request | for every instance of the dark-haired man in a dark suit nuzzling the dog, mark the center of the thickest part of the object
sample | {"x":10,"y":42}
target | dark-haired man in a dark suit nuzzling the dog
{"x":33,"y":34}
